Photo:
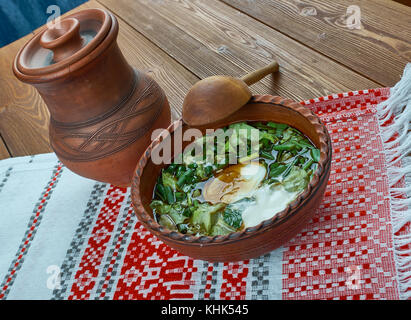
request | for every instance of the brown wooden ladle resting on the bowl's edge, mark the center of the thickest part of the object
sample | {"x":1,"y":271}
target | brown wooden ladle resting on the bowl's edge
{"x":217,"y":97}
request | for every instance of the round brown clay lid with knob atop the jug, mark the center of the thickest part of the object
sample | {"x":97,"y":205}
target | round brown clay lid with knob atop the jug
{"x":64,"y":43}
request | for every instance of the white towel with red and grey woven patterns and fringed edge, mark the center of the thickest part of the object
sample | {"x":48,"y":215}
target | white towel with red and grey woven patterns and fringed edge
{"x":66,"y":237}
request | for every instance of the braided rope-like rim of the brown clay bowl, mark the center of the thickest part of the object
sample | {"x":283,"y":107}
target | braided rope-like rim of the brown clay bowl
{"x":317,"y":179}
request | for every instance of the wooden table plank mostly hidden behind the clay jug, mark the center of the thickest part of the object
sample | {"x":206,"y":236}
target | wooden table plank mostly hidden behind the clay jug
{"x":24,"y":117}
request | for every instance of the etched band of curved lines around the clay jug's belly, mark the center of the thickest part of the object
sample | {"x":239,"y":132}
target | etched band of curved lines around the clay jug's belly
{"x":114,"y":131}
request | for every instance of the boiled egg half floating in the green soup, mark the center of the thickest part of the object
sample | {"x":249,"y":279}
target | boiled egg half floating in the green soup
{"x":234,"y":183}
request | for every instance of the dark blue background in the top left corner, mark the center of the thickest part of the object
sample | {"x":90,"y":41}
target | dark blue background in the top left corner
{"x":20,"y":17}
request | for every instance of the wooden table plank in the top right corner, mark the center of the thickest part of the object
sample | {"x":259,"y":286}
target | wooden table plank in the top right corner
{"x":379,"y":49}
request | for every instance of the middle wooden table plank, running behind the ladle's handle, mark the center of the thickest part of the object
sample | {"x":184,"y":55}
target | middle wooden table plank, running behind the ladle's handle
{"x":209,"y":37}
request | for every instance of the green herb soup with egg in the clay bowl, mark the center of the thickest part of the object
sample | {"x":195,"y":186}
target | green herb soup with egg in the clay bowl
{"x":285,"y":158}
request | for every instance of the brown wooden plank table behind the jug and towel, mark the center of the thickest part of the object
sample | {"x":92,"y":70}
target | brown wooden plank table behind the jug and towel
{"x":179,"y":42}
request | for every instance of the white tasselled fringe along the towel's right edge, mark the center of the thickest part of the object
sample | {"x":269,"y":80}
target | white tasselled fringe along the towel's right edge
{"x":394,"y":119}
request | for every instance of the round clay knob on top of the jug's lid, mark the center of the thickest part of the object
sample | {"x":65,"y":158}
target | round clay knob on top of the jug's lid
{"x":63,"y":38}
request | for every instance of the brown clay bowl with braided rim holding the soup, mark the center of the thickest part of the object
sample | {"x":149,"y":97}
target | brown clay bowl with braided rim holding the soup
{"x":268,"y":235}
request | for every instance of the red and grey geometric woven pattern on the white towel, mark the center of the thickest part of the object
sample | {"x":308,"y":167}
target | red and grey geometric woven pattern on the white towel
{"x":345,"y":251}
